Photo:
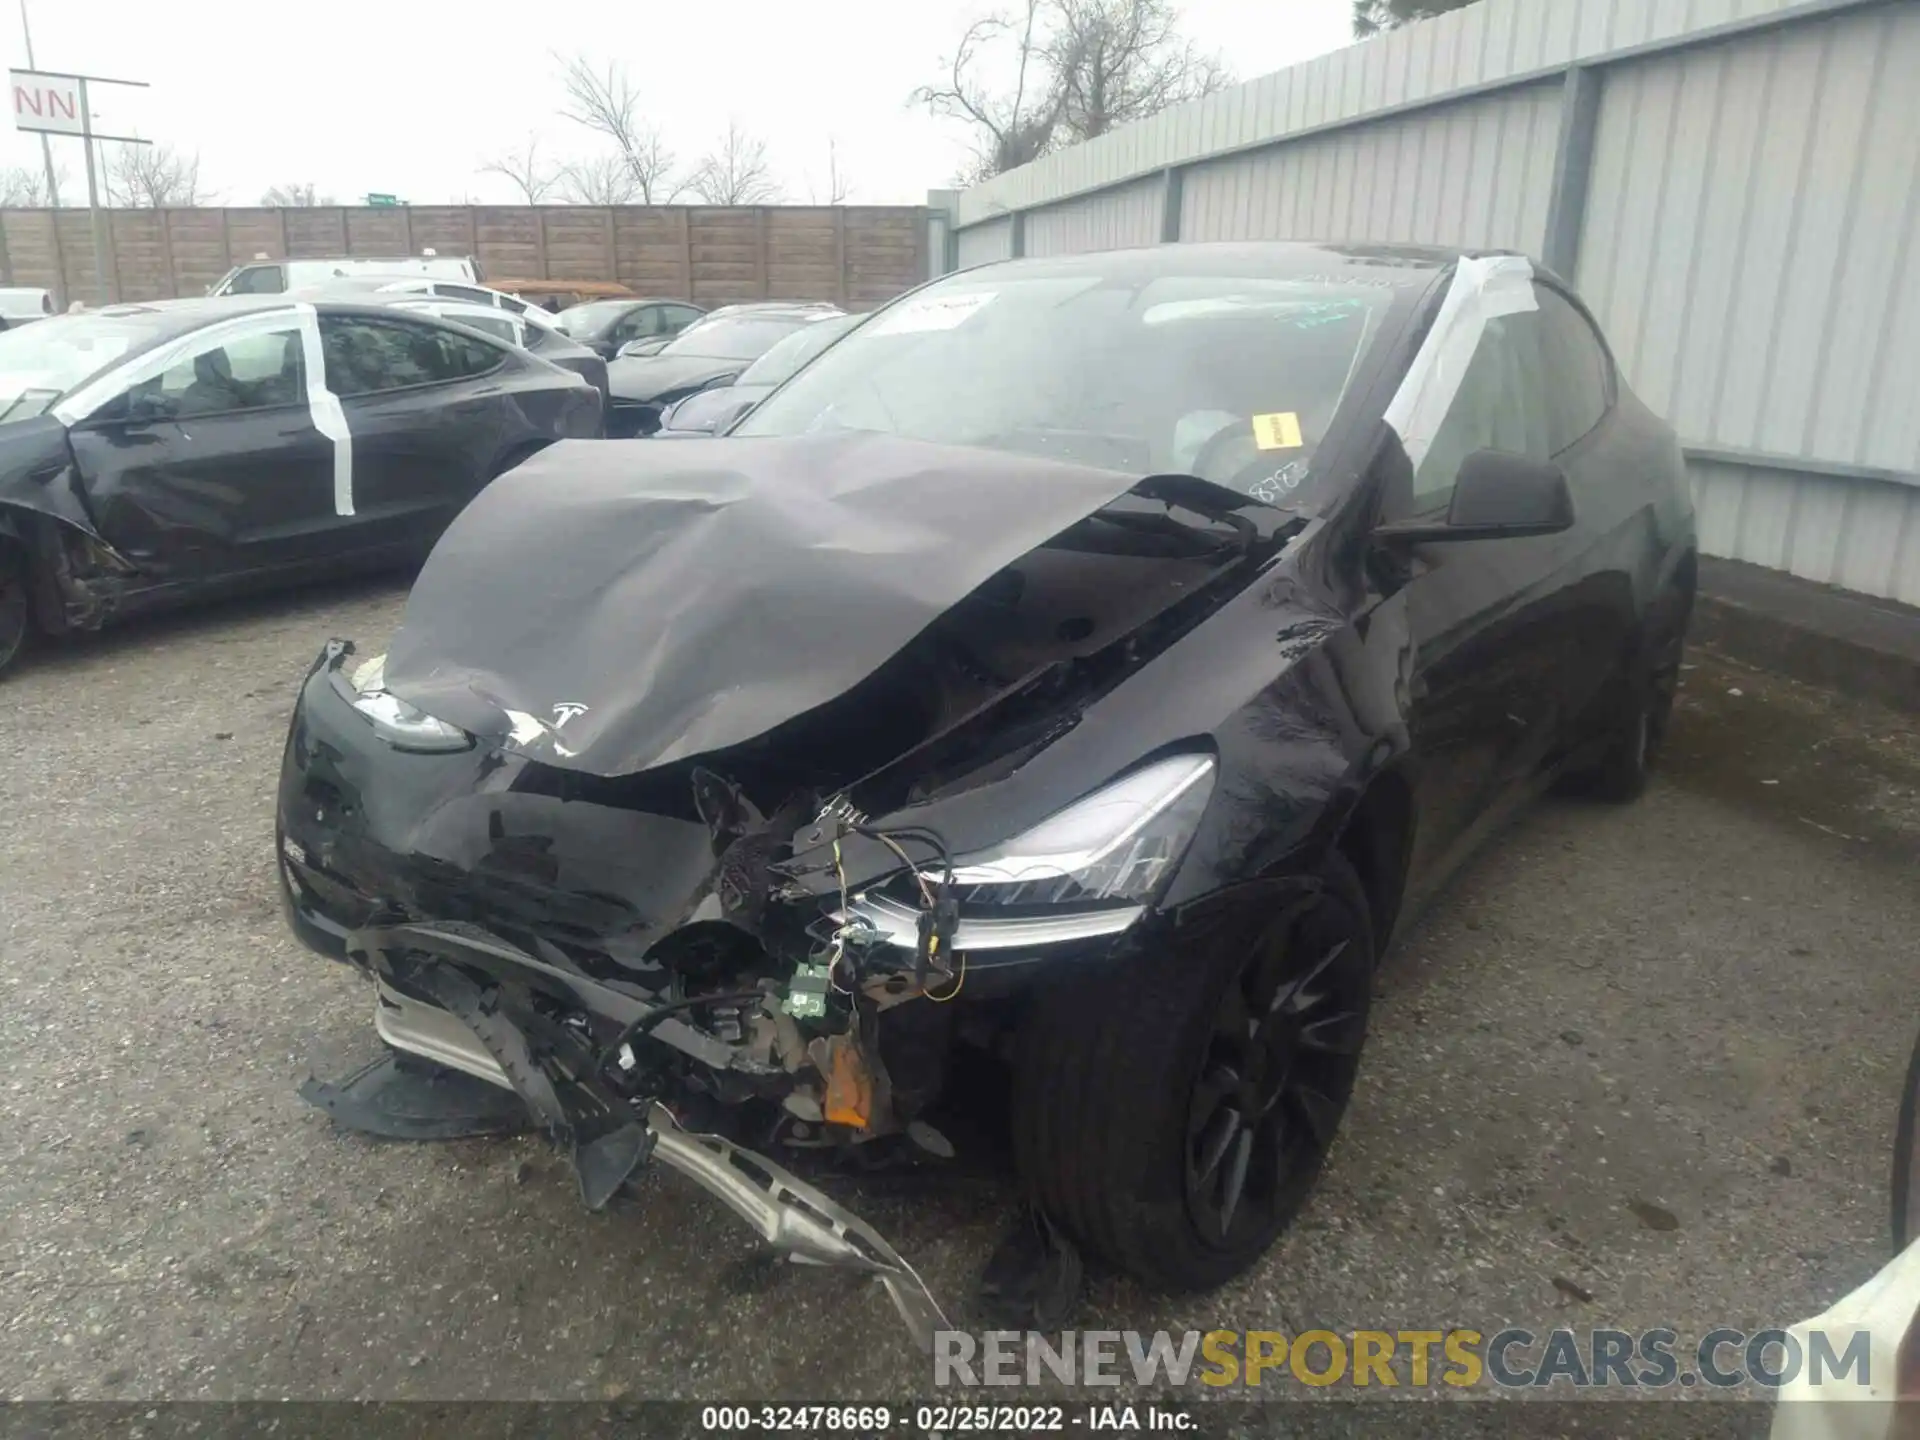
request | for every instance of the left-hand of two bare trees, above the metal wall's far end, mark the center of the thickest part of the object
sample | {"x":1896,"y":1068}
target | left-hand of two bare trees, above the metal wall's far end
{"x":1011,"y":128}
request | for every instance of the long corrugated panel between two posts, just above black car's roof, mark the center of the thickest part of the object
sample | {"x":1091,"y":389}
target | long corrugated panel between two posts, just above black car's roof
{"x":1474,"y":174}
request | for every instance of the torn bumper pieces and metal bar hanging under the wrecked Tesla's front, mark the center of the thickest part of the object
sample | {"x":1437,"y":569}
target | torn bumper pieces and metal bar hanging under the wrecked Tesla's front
{"x":485,"y":1022}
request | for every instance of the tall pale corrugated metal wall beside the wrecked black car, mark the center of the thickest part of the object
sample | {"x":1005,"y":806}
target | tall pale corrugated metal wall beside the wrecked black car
{"x":1735,"y":185}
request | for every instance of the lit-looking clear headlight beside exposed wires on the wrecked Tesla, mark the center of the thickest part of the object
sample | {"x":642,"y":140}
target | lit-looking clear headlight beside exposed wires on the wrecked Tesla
{"x":1120,"y":844}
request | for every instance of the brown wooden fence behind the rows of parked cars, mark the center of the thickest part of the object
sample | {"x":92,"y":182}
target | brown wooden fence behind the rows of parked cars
{"x":855,"y":256}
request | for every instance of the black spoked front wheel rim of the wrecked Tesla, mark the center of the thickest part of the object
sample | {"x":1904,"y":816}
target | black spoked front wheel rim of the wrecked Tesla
{"x":1278,"y":1072}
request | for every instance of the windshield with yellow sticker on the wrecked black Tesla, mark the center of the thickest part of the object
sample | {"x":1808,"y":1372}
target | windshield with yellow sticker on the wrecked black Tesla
{"x":1234,"y":379}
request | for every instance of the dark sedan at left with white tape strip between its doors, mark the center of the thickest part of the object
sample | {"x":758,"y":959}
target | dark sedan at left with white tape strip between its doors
{"x":158,"y":452}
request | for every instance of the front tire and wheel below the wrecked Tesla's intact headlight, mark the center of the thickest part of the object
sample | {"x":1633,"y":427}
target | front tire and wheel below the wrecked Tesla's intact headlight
{"x":1174,"y":1113}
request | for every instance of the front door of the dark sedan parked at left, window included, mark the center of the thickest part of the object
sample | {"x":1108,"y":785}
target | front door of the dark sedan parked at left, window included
{"x":210,"y":460}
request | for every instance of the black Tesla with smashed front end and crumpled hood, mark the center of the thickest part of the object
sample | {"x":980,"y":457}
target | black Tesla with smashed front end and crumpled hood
{"x":1090,"y":660}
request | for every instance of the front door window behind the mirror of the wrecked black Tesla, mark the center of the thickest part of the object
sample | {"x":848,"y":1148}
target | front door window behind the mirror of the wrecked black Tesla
{"x":1500,"y":406}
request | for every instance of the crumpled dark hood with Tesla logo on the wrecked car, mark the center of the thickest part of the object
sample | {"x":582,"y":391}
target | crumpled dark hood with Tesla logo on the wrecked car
{"x":612,"y":608}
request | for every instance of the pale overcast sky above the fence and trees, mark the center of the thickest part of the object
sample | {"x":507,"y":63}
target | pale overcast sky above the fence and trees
{"x":410,"y":99}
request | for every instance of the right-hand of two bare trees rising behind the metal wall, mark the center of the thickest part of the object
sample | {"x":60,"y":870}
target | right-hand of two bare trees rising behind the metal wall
{"x":1122,"y":60}
